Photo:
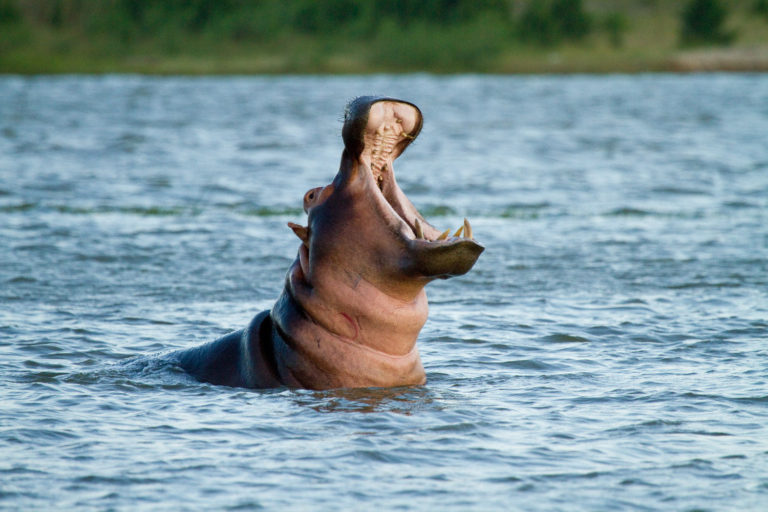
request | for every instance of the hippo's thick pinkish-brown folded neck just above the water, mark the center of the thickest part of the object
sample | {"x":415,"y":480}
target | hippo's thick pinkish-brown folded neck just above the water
{"x":346,"y":336}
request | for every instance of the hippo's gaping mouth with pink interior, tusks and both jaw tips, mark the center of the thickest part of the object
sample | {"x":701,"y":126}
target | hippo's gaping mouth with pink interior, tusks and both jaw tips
{"x":377,"y":131}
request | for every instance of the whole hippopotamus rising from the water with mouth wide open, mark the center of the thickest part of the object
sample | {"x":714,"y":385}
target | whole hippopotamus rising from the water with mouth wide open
{"x":354,"y":301}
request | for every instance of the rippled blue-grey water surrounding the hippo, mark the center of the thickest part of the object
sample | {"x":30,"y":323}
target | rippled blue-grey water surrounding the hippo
{"x":608,"y":352}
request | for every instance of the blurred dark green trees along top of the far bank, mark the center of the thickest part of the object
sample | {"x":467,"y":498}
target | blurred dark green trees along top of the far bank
{"x":536,"y":22}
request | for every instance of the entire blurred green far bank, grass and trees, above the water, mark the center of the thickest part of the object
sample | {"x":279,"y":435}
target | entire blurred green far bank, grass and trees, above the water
{"x":361,"y":36}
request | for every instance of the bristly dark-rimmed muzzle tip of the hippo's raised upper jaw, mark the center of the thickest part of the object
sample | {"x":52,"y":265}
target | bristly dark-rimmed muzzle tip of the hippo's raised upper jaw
{"x":360,"y":110}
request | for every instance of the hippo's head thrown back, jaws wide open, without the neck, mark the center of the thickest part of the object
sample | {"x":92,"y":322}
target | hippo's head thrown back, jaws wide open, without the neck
{"x":376,"y":131}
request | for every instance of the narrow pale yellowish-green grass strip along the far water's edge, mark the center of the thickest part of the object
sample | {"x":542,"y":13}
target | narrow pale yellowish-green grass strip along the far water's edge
{"x":560,"y":61}
